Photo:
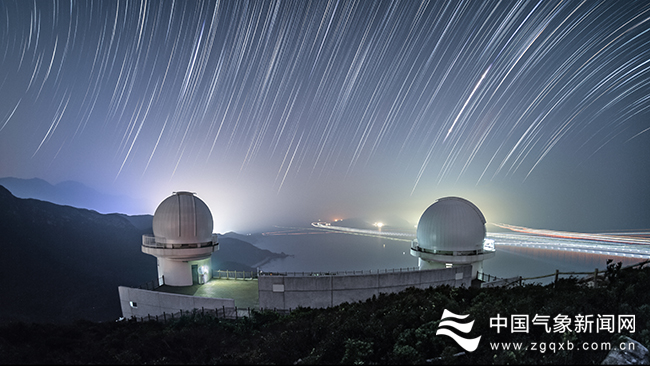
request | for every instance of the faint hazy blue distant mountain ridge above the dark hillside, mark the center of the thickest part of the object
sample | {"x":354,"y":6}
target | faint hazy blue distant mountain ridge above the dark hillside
{"x":74,"y":194}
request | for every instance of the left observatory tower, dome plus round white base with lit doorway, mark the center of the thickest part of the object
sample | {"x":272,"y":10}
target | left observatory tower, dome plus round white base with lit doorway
{"x":182,"y":240}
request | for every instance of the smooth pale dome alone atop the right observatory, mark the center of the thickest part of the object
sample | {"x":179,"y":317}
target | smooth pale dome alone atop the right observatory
{"x":451,"y":224}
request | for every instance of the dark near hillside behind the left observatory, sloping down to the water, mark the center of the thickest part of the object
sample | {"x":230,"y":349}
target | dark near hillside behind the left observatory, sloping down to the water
{"x":61,"y":263}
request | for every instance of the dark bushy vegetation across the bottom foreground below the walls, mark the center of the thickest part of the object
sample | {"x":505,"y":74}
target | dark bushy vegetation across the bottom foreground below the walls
{"x":391,"y":329}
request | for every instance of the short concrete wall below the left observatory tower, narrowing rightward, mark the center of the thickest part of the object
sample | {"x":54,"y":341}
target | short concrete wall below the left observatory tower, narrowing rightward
{"x":140,"y":303}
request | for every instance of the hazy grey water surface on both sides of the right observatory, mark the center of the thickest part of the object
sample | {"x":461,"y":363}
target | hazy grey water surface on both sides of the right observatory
{"x":329,"y":251}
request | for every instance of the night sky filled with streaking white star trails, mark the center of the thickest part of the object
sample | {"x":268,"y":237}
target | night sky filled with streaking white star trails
{"x":277,"y":112}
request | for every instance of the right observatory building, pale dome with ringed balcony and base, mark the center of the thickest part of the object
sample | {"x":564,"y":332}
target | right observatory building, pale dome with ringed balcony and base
{"x":451,"y":232}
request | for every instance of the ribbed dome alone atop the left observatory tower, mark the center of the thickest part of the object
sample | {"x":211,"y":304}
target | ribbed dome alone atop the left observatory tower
{"x":182,"y":218}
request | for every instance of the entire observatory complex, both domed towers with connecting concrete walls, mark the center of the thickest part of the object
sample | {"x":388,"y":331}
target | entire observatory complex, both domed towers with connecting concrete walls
{"x":450,"y":247}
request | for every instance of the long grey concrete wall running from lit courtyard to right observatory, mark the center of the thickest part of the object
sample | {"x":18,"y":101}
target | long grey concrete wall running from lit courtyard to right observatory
{"x":285,"y":292}
